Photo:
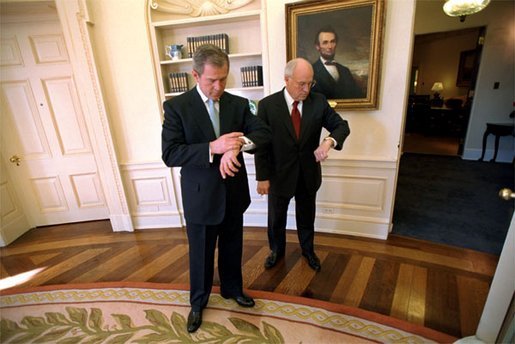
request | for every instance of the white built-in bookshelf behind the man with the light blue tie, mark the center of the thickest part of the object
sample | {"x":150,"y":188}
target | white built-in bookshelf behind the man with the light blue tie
{"x":242,"y":25}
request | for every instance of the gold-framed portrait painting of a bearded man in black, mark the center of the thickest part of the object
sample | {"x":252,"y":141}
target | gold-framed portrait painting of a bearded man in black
{"x":342,"y":39}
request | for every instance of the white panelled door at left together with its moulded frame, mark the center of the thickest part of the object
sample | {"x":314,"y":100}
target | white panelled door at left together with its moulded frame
{"x":58,"y":160}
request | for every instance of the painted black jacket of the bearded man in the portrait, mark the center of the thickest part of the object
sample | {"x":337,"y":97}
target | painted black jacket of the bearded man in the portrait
{"x":344,"y":88}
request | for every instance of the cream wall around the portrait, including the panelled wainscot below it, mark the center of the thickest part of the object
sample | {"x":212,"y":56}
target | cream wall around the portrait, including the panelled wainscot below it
{"x":359,"y":182}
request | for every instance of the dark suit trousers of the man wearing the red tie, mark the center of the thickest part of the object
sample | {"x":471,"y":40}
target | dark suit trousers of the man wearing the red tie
{"x":305,"y":208}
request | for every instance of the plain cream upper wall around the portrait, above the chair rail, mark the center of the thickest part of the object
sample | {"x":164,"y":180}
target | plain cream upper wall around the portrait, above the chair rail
{"x":374,"y":134}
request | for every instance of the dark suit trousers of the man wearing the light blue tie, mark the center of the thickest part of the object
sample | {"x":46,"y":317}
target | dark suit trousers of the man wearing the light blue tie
{"x":202,"y":244}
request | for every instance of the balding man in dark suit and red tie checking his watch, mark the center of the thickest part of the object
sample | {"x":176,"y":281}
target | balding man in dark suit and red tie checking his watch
{"x":290,"y":166}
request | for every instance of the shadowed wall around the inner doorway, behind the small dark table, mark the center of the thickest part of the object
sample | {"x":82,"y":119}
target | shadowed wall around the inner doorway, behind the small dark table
{"x":497,"y":64}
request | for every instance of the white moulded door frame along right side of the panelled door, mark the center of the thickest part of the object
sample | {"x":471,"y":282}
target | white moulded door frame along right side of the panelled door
{"x":75,"y":22}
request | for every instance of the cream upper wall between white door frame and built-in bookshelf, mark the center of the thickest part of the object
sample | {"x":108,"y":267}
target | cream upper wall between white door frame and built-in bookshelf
{"x":121,"y":45}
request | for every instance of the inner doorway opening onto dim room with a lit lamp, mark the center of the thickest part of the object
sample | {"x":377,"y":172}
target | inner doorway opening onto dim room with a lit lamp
{"x":441,"y":92}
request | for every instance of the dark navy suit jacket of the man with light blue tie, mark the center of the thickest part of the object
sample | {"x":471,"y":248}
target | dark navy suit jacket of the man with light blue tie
{"x":187,"y":131}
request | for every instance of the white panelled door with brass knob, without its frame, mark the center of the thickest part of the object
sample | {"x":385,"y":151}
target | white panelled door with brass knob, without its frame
{"x":45,"y":143}
